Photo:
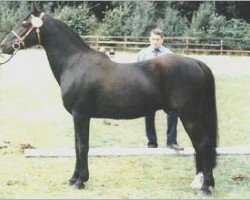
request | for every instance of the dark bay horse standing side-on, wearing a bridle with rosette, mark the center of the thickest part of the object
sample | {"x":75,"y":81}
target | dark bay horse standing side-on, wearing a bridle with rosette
{"x":92,"y":86}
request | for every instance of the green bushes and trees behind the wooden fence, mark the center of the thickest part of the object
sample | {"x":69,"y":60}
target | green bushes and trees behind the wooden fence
{"x":225,"y":19}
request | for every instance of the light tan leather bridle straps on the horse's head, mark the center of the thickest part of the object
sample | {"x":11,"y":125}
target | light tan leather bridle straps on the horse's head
{"x":16,"y":46}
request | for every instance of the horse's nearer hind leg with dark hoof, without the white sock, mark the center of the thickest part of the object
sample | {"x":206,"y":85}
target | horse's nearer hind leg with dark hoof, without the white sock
{"x":205,"y":152}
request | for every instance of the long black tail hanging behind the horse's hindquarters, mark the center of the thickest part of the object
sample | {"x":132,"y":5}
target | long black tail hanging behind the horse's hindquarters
{"x":209,"y":108}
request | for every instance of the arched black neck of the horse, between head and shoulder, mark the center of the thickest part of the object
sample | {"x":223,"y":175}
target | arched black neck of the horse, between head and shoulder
{"x":61,"y":45}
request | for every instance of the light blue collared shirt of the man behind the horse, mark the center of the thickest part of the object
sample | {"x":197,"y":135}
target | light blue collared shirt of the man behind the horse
{"x":149,"y":52}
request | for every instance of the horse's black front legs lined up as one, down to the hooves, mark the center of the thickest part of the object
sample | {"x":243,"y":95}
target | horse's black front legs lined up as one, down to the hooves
{"x":81,"y":173}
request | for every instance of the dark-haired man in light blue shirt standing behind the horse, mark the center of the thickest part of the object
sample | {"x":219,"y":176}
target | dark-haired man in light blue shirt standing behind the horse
{"x":157,"y":49}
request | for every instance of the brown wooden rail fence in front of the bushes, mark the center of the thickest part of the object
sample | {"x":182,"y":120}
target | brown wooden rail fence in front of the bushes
{"x":184,"y":45}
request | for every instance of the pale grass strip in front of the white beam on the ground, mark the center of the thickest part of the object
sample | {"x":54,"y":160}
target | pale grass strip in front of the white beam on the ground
{"x":163,"y":177}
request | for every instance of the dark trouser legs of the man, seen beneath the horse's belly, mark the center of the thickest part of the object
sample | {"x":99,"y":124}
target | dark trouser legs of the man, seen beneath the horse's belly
{"x":172,"y":120}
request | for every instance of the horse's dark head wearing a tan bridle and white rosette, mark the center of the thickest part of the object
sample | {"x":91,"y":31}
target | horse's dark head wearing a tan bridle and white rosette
{"x":25,"y":34}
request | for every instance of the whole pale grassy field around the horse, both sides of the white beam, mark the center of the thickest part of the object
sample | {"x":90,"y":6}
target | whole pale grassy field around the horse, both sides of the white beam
{"x":31,"y":114}
